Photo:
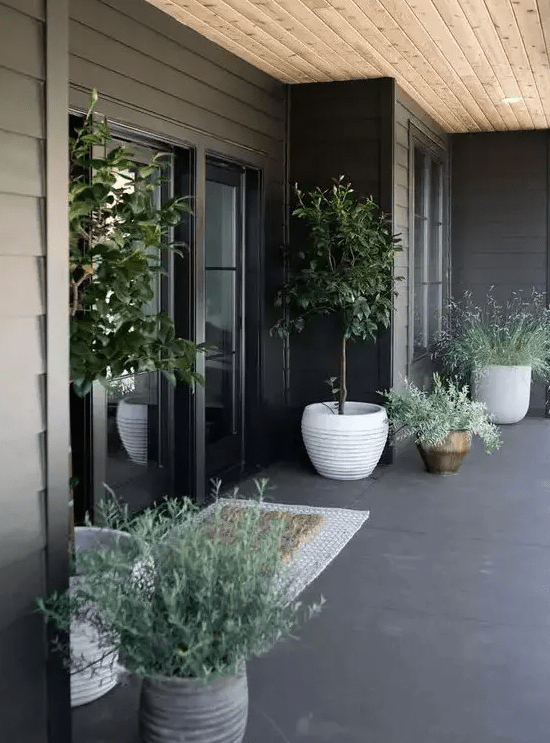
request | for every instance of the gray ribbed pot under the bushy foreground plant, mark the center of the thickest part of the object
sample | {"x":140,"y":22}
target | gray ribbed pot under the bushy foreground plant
{"x":173,"y":710}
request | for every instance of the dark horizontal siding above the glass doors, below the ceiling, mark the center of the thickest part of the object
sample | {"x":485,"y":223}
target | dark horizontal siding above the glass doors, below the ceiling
{"x":148,"y":62}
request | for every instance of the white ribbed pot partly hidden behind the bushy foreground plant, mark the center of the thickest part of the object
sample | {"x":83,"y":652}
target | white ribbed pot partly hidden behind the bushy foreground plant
{"x":86,"y":646}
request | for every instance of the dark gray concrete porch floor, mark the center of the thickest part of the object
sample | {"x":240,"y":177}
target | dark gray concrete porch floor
{"x":437,"y":622}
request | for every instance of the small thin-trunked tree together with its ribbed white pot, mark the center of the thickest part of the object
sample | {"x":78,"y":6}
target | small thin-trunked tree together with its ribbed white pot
{"x":346,"y":269}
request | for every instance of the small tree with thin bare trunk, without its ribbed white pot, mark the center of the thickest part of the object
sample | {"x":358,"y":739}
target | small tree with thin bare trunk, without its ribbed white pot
{"x":346,"y":268}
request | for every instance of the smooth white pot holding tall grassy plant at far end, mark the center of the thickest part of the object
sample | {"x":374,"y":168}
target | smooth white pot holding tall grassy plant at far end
{"x":505,"y":390}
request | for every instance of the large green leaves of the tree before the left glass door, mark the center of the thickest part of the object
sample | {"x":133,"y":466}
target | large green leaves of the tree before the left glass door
{"x":117,"y":236}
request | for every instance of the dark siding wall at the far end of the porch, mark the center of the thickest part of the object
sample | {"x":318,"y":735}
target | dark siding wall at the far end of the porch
{"x":500,"y":196}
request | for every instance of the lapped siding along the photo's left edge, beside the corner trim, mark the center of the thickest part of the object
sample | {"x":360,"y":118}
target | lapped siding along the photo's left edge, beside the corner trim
{"x":22,"y":364}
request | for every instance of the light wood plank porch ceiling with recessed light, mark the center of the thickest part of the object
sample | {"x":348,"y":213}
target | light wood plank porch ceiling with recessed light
{"x":473,"y":65}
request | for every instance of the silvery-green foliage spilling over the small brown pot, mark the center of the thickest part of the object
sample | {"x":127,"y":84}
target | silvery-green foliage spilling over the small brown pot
{"x":429,"y":415}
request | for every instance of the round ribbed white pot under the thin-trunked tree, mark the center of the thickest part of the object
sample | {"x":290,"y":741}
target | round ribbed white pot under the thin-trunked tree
{"x":344,"y":447}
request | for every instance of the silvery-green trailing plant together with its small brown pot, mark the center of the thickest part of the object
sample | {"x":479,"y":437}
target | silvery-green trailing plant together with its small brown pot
{"x":442,"y":421}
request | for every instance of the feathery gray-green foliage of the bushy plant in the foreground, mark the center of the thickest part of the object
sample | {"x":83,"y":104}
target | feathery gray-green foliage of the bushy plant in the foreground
{"x":174,"y":600}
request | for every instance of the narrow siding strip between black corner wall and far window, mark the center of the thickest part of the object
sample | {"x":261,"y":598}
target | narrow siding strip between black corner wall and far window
{"x":406,"y":112}
